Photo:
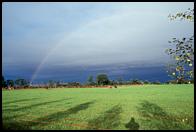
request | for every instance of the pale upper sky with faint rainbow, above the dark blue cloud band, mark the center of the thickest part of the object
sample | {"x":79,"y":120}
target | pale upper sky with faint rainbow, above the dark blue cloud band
{"x":39,"y":35}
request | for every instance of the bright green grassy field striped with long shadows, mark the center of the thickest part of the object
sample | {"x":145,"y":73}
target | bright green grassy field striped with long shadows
{"x":149,"y":107}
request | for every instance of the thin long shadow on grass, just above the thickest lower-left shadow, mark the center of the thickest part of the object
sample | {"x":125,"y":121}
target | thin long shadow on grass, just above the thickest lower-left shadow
{"x":34,"y":105}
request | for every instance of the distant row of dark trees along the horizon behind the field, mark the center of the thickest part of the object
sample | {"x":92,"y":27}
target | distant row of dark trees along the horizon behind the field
{"x":101,"y":80}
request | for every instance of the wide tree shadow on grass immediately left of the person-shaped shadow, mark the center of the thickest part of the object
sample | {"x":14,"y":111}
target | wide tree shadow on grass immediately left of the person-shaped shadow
{"x":109,"y":120}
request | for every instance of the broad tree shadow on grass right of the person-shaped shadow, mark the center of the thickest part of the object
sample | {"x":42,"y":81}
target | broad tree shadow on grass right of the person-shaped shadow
{"x":157,"y":118}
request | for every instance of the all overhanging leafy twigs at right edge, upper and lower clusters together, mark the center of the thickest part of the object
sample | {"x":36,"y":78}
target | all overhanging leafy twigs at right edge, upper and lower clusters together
{"x":182,"y":53}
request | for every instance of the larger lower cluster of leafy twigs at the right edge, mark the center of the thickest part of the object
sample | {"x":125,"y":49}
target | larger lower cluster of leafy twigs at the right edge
{"x":183,"y":59}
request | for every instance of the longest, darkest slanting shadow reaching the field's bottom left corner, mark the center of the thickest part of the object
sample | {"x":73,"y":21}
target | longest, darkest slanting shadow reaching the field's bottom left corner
{"x":45,"y":120}
